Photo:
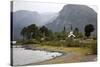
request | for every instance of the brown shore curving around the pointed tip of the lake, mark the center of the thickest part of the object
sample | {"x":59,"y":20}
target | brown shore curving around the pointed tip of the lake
{"x":66,"y":57}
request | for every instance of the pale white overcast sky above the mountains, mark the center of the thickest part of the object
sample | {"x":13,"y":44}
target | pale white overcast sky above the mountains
{"x":41,"y":7}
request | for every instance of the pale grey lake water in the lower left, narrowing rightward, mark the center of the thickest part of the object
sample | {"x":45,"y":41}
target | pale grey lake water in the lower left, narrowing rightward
{"x":21,"y":56}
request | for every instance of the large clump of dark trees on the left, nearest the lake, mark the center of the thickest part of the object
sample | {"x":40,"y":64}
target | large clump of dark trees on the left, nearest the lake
{"x":34,"y":32}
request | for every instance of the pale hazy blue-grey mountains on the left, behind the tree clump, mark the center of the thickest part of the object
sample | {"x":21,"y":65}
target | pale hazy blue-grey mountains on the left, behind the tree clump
{"x":24,"y":18}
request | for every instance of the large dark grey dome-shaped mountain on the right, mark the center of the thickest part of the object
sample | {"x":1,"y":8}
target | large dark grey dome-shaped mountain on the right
{"x":77,"y":15}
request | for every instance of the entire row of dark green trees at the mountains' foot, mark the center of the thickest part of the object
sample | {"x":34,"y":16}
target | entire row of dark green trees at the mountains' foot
{"x":34,"y":32}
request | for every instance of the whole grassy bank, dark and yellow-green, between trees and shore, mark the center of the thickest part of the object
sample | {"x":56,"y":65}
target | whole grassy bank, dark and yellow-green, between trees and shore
{"x":82,"y":46}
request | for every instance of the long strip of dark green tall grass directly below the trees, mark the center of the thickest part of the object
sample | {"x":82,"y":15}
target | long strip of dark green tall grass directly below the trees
{"x":69,"y":42}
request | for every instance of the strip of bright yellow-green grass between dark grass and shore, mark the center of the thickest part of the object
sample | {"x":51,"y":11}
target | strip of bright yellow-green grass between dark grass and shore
{"x":66,"y":49}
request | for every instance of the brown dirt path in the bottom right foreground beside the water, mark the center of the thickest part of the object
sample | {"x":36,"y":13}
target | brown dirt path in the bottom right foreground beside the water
{"x":68,"y":58}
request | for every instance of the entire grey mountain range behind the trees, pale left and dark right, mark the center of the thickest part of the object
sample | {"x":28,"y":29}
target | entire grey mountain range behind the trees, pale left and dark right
{"x":77,"y":15}
